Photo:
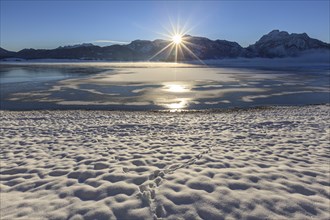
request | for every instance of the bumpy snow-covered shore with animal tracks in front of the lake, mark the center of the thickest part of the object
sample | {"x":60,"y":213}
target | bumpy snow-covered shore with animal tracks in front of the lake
{"x":256,"y":164}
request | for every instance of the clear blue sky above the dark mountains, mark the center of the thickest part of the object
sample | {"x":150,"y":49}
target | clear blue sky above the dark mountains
{"x":49,"y":24}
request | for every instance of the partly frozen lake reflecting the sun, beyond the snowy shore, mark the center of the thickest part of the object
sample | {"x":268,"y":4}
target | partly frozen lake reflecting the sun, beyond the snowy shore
{"x":157,"y":86}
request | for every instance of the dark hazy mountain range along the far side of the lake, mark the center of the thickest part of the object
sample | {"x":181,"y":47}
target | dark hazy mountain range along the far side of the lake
{"x":274,"y":44}
